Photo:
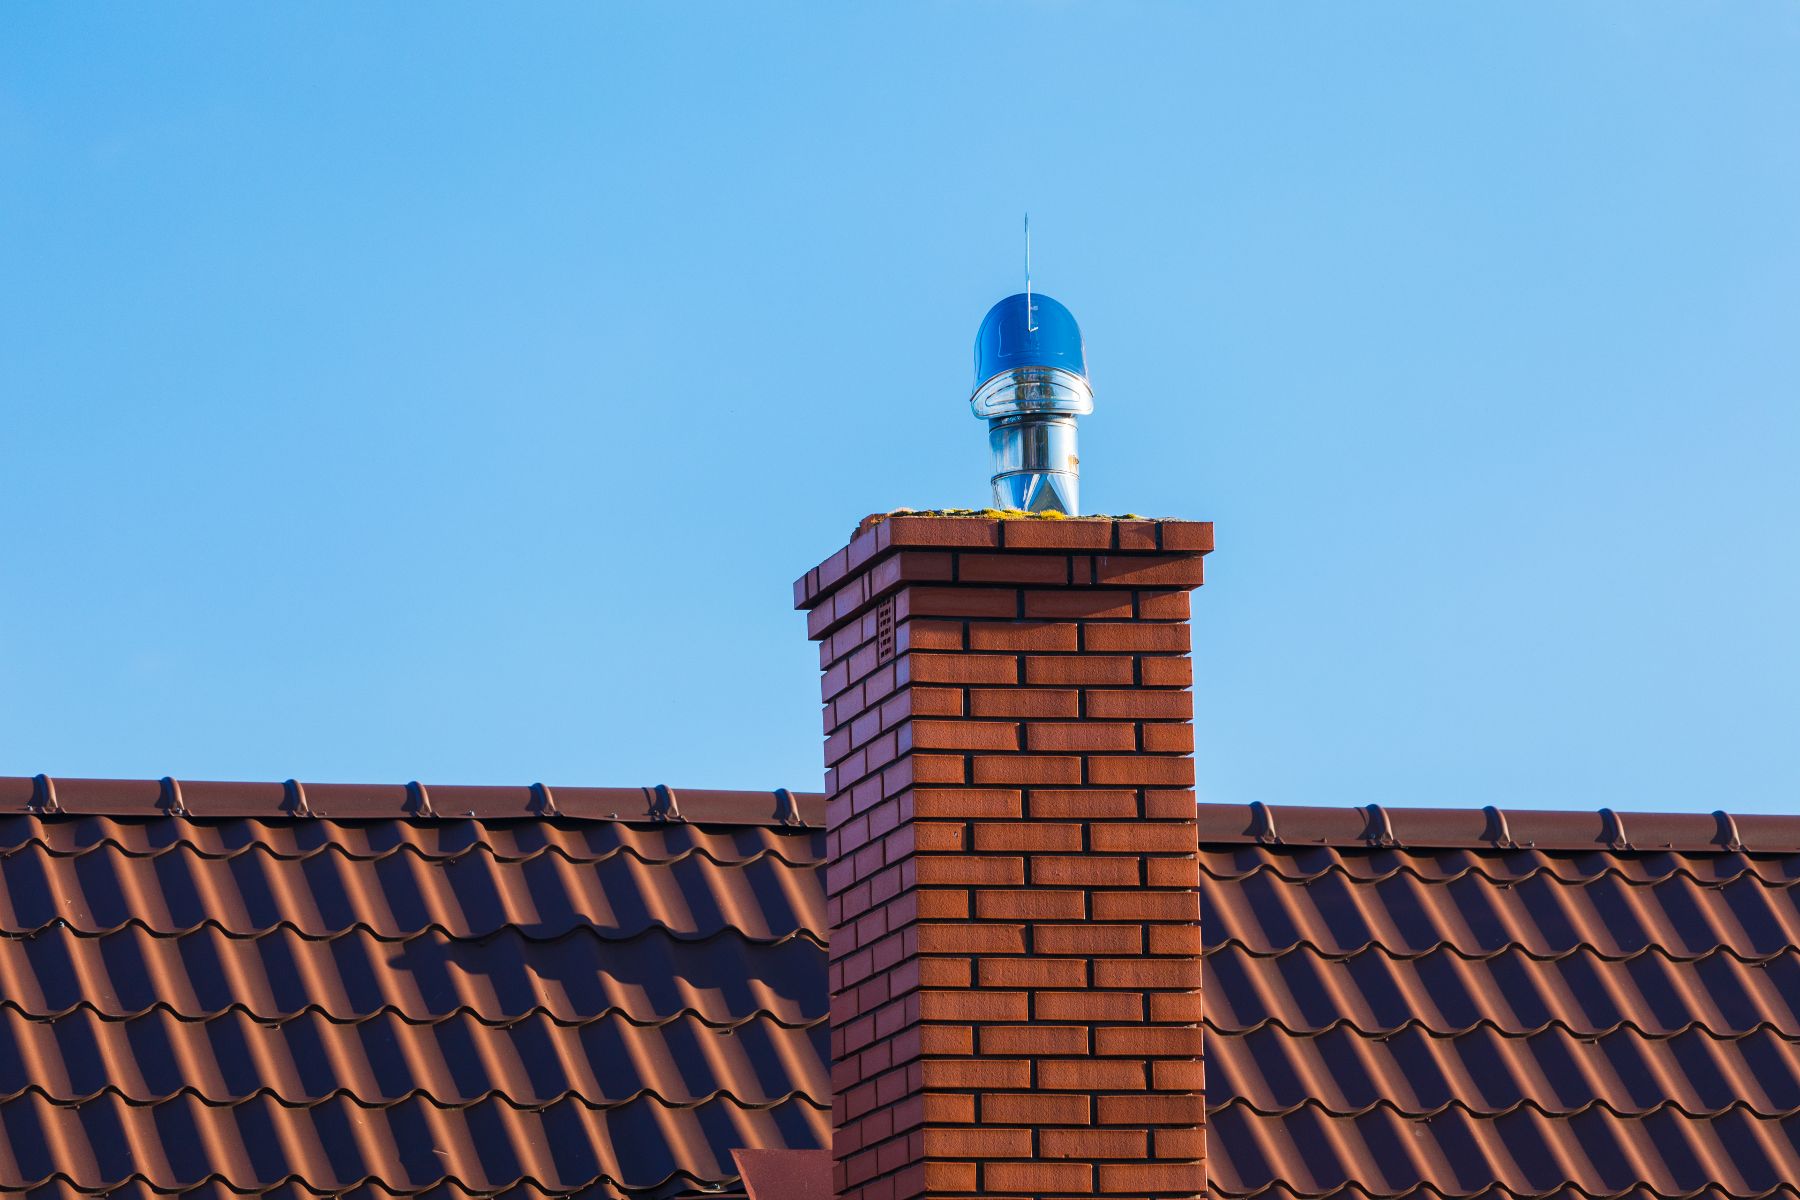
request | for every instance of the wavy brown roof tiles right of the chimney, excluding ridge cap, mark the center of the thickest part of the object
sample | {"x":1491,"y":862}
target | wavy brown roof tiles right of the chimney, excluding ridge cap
{"x":1500,"y":1023}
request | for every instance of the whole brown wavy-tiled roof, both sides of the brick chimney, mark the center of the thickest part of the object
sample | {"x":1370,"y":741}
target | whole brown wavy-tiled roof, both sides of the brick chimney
{"x":615,"y":998}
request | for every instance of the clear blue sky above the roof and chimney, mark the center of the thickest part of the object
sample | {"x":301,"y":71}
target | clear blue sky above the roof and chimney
{"x":453,"y":393}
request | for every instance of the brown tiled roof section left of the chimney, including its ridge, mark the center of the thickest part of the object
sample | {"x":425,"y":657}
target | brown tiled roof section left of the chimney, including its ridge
{"x":606,"y":1001}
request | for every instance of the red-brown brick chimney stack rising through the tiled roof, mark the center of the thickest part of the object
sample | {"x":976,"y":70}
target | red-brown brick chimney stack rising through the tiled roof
{"x":1014,"y":897}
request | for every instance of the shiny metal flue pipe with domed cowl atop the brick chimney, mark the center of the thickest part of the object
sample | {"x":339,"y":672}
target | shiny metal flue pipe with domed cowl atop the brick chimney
{"x":1030,"y":386}
